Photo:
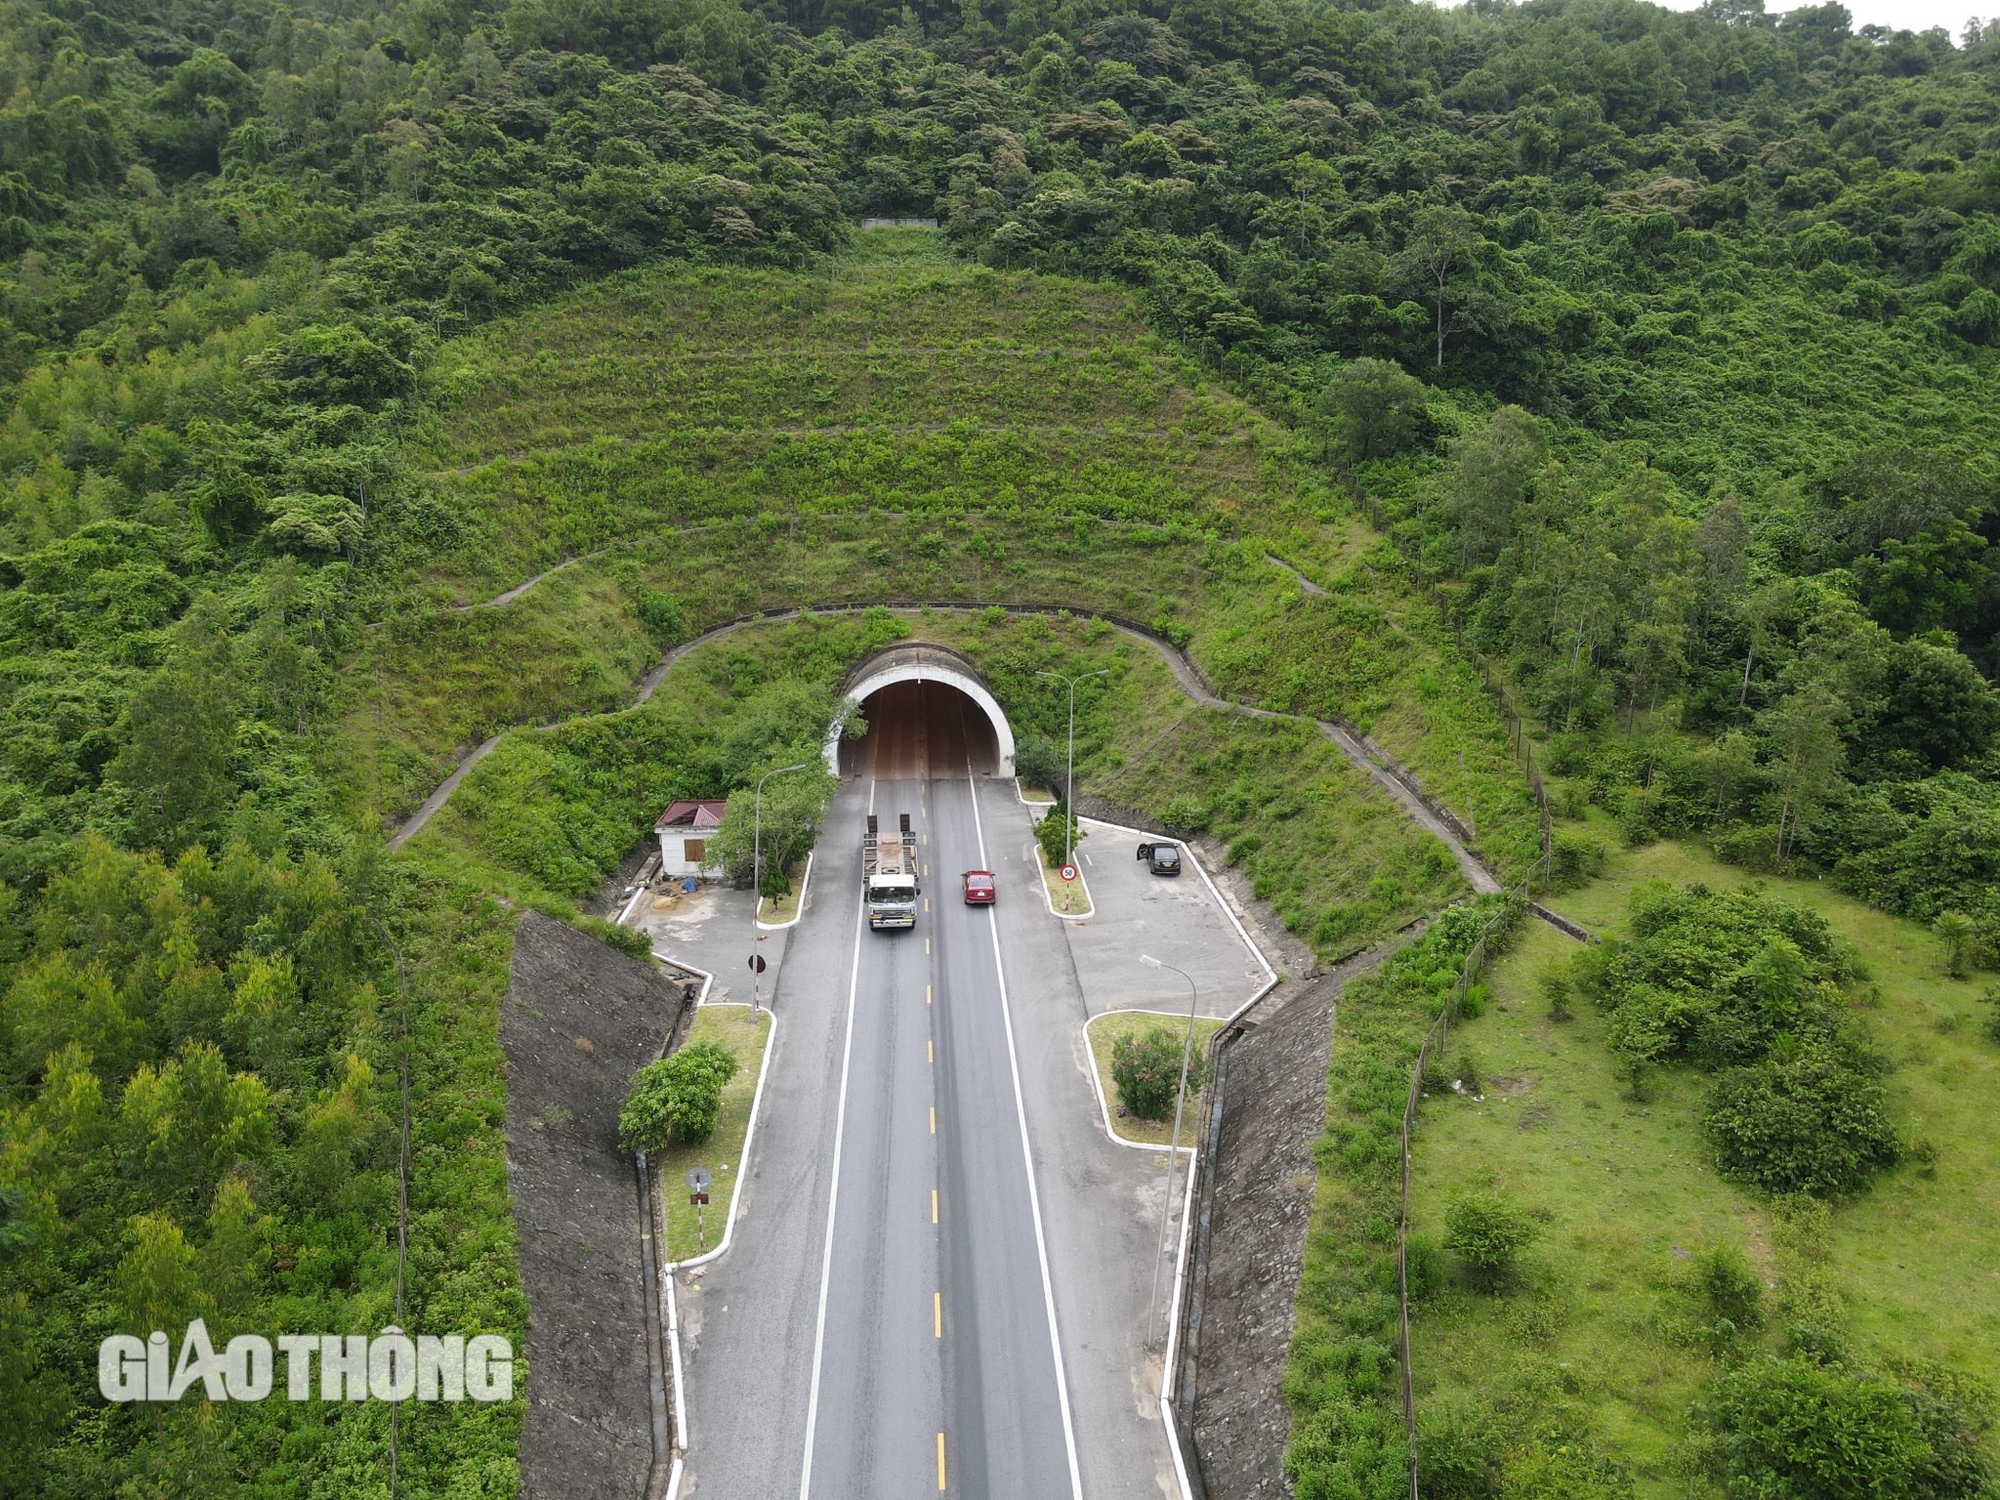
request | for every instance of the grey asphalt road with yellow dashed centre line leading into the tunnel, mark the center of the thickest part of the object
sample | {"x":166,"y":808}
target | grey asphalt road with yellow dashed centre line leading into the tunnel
{"x":863,"y":1337}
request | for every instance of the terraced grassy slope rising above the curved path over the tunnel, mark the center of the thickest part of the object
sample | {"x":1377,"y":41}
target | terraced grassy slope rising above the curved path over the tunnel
{"x":701,"y":445}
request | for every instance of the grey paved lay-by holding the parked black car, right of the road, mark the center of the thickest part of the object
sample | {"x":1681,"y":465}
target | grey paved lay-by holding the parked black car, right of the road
{"x":1175,"y":919}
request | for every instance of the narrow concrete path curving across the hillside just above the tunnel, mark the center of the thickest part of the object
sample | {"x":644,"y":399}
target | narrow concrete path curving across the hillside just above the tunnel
{"x":1379,"y":767}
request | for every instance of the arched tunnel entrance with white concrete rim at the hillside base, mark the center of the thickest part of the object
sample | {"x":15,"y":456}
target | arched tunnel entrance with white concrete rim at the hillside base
{"x":929,"y":715}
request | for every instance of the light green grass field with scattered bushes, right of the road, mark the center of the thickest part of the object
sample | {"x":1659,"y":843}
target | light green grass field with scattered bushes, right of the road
{"x":1593,"y":1339}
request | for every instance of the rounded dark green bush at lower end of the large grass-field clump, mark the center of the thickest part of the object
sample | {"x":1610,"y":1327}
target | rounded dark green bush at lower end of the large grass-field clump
{"x":1801,"y":1123}
